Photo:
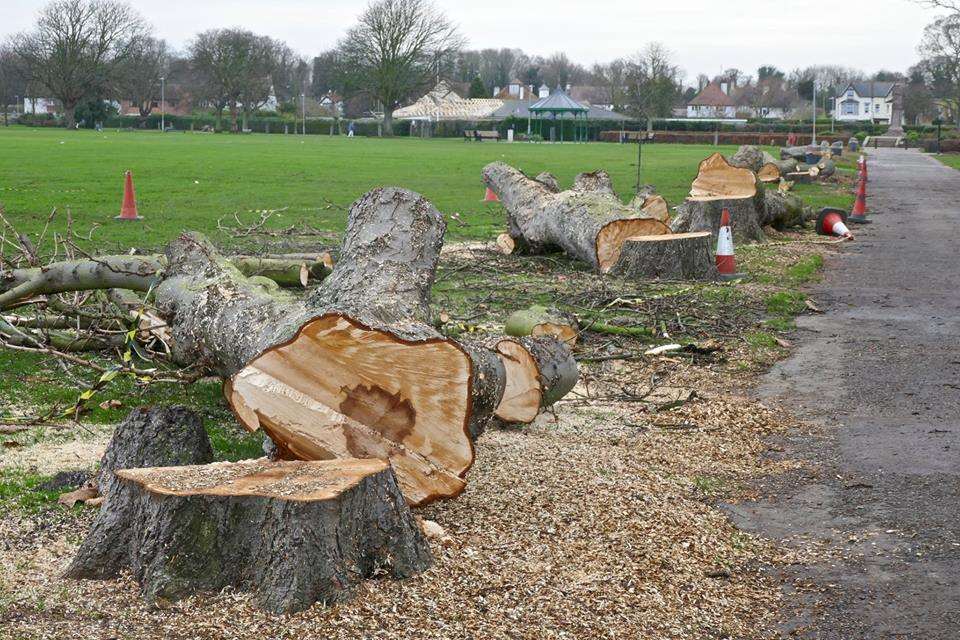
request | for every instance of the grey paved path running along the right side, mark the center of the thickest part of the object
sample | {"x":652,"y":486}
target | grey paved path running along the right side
{"x":881,"y":369}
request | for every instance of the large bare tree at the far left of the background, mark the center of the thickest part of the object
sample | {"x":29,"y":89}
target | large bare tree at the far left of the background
{"x":76,"y":46}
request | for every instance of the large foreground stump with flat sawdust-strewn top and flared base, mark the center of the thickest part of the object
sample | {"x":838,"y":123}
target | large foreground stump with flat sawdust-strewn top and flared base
{"x":293,"y":533}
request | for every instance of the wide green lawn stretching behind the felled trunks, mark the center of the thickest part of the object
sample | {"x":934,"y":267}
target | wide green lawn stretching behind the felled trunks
{"x":186,"y":181}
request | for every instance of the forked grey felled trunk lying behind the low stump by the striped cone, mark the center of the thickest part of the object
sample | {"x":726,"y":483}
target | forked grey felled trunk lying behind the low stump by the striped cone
{"x":587,"y":221}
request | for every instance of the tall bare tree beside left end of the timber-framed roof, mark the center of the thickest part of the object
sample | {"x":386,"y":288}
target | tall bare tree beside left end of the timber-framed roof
{"x":393,"y":49}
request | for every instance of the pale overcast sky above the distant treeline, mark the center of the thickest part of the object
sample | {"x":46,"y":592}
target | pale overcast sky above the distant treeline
{"x":706,"y":36}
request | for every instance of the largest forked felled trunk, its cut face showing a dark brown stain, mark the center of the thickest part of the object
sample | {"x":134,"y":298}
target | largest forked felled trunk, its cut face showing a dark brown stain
{"x":355,"y":369}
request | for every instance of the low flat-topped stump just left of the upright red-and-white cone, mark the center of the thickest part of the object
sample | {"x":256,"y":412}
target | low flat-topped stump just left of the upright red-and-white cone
{"x":672,"y":256}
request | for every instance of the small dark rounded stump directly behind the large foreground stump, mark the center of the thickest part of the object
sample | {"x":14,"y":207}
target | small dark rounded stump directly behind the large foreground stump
{"x":154,"y":437}
